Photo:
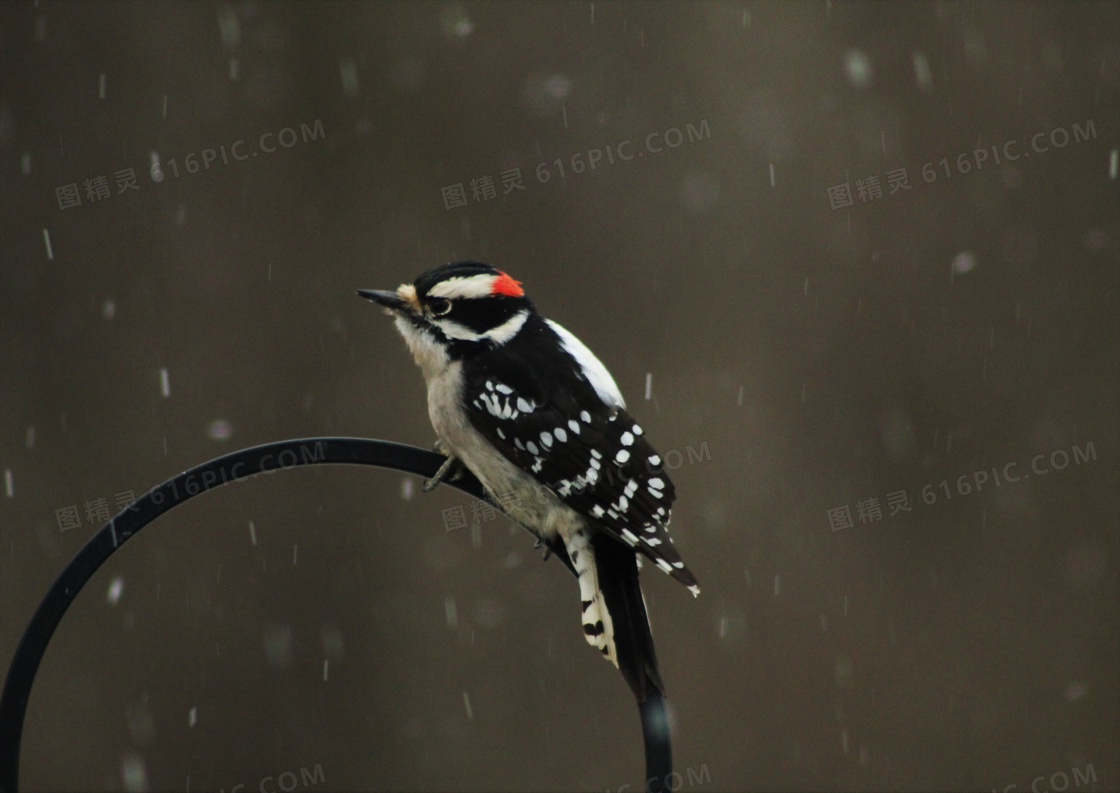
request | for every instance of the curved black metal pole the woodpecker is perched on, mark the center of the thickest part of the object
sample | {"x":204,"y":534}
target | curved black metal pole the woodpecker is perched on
{"x":238,"y":467}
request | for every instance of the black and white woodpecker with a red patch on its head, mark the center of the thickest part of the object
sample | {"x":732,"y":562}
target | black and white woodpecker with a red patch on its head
{"x":526,"y":407}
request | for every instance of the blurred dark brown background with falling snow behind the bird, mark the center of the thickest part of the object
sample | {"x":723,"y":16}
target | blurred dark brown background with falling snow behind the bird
{"x":811,"y":358}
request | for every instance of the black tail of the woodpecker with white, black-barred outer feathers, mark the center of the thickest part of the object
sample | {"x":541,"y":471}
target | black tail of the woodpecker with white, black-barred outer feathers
{"x":614,"y":615}
